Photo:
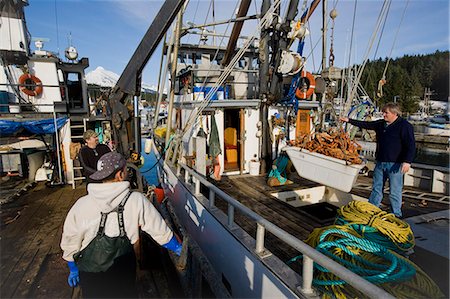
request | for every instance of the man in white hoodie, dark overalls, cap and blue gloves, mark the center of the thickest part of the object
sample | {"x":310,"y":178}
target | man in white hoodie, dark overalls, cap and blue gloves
{"x":101,"y":228}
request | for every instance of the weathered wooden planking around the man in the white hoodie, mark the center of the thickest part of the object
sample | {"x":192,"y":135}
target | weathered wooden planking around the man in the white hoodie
{"x":31,"y":263}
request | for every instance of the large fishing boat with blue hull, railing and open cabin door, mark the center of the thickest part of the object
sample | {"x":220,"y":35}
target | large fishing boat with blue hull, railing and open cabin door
{"x":216,"y":150}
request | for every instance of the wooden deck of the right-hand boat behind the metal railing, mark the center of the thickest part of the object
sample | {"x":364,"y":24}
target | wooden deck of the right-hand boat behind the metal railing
{"x":253,"y":192}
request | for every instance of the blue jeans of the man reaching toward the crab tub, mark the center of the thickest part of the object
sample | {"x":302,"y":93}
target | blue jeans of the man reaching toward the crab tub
{"x":383,"y":171}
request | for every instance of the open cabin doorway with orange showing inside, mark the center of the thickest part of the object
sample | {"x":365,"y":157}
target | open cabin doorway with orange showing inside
{"x":234,"y":140}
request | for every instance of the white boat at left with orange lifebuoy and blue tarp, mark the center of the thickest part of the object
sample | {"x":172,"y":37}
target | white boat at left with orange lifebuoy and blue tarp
{"x":40,"y":91}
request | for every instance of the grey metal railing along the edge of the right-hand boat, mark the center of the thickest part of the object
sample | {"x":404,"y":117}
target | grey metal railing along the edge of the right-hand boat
{"x":310,"y":255}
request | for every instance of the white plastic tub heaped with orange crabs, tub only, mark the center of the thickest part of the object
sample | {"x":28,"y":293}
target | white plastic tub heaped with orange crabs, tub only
{"x":324,"y":170}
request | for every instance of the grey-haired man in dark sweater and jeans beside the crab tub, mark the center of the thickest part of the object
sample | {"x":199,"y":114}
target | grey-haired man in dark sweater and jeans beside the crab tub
{"x":396,"y":149}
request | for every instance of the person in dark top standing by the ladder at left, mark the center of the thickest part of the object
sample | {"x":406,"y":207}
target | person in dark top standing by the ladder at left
{"x":90,"y":153}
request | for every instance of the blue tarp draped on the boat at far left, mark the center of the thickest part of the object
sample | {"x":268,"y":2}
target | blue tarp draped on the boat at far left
{"x":44,"y":126}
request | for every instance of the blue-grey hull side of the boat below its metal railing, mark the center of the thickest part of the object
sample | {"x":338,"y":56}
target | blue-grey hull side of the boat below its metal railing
{"x":243,"y":273}
